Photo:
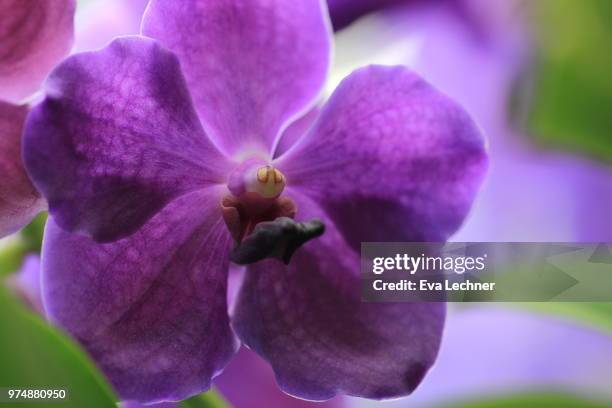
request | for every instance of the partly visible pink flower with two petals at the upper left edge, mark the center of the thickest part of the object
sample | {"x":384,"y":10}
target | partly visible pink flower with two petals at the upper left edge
{"x":32,"y":39}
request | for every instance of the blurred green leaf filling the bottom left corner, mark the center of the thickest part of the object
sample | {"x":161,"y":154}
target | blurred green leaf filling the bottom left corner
{"x":33,"y":355}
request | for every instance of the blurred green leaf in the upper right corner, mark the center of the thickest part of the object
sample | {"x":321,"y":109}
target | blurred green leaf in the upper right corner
{"x":571,"y":91}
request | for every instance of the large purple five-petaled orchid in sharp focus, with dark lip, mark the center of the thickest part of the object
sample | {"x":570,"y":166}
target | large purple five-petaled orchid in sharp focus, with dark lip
{"x":162,"y":167}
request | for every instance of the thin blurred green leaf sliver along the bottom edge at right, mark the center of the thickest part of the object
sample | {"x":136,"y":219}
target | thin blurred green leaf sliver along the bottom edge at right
{"x":540,"y":400}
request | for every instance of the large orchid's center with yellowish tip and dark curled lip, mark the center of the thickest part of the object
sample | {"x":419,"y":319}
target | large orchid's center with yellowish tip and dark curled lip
{"x":260,"y":219}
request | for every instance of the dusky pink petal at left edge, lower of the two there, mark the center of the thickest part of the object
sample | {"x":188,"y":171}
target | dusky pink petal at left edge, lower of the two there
{"x":19,"y":200}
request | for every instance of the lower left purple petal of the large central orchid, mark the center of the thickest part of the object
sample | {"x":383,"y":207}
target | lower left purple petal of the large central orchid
{"x":150,"y":309}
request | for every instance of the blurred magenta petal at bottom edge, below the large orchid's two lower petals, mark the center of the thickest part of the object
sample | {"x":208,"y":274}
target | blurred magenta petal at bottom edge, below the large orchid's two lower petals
{"x":248,"y":379}
